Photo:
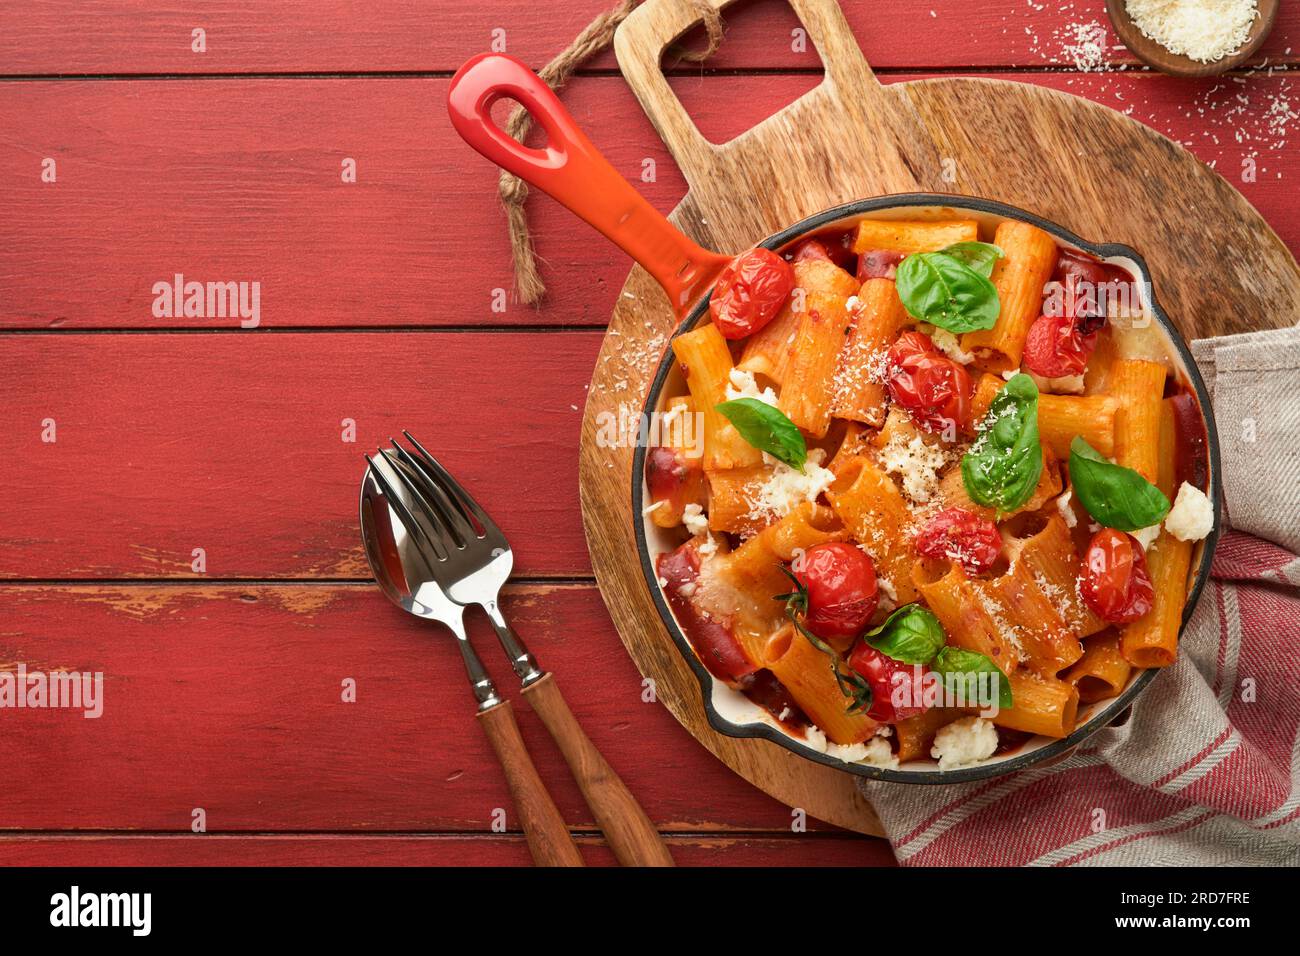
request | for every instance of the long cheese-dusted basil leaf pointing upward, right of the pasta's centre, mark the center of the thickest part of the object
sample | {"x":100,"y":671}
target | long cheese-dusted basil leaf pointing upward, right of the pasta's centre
{"x":1004,"y":466}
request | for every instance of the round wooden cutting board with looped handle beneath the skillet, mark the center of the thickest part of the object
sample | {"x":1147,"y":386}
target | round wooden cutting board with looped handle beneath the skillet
{"x":1217,"y":269}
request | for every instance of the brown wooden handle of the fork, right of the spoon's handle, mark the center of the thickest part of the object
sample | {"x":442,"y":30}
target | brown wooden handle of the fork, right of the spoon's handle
{"x":627,"y":828}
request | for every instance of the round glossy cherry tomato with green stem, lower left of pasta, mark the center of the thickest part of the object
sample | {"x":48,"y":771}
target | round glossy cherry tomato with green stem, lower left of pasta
{"x":840,"y":582}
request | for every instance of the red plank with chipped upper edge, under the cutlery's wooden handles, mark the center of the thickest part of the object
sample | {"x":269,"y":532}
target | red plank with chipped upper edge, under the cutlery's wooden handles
{"x":229,"y":699}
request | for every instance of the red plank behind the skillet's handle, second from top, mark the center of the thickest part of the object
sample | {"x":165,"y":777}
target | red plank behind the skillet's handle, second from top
{"x":250,"y":191}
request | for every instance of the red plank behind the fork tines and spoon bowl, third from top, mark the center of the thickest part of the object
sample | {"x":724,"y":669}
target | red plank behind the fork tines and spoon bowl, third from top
{"x":235,"y":444}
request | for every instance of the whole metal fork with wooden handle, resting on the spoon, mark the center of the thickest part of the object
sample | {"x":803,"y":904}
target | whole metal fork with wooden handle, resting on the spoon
{"x":470,"y":559}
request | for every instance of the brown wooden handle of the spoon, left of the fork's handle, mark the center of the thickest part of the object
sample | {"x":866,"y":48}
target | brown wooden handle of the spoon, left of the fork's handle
{"x":548,"y":837}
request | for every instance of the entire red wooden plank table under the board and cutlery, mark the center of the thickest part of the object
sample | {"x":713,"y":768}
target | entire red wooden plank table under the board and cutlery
{"x":129,"y":157}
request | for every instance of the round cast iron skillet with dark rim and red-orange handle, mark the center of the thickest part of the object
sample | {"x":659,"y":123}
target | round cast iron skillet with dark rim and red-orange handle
{"x":575,"y":174}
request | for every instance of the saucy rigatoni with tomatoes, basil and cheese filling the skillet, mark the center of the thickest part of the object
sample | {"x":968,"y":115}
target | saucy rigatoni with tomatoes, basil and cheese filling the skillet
{"x":891,"y":511}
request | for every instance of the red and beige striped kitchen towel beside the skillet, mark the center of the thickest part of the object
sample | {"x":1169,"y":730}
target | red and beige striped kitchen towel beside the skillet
{"x":1207,"y":769}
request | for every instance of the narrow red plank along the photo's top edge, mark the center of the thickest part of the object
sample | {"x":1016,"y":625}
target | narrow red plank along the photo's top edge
{"x":337,"y":36}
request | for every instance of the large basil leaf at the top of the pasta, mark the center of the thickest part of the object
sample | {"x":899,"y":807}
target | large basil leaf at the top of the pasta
{"x":946,"y":292}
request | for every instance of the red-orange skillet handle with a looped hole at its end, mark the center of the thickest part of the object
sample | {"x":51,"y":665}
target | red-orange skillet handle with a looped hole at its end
{"x":577,"y":175}
